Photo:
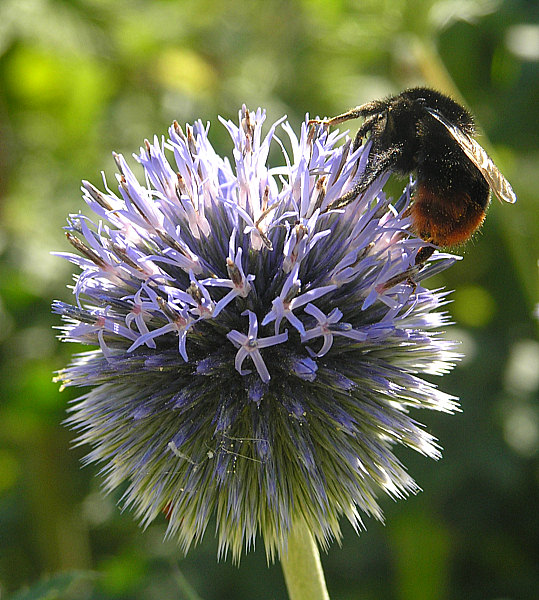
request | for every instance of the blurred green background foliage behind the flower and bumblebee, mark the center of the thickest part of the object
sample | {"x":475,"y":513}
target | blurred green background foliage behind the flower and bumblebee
{"x":81,"y":78}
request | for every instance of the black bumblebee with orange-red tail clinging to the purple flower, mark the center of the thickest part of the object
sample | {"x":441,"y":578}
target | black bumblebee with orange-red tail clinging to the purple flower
{"x":425,"y":132}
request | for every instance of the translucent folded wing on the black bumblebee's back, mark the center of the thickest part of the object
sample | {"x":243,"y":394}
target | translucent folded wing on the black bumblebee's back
{"x":479,"y":157}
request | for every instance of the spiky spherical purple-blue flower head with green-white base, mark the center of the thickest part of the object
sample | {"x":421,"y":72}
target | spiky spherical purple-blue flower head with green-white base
{"x":257,"y":353}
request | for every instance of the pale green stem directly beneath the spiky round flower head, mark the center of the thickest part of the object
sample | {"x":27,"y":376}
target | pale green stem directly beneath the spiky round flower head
{"x":302,"y":568}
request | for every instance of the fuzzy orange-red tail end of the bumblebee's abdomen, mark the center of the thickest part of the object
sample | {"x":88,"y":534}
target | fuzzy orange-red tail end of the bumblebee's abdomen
{"x":446,"y":219}
